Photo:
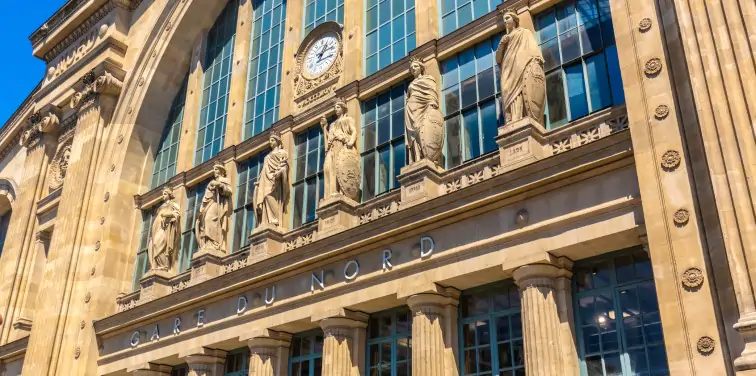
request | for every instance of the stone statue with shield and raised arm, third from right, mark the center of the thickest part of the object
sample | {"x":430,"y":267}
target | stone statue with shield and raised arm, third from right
{"x":341,"y":168}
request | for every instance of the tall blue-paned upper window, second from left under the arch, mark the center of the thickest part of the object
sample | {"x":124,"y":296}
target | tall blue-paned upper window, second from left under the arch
{"x":216,"y":84}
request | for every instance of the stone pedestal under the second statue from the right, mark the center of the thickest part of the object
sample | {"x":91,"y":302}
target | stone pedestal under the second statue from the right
{"x":420,"y":182}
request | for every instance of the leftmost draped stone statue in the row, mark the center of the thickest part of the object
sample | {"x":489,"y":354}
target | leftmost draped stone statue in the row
{"x":165,"y":233}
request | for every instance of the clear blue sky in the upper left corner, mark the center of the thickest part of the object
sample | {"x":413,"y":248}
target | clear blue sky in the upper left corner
{"x":21,"y":71}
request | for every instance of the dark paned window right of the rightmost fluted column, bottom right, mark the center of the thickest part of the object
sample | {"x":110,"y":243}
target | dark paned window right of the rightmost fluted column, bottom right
{"x":617,"y":316}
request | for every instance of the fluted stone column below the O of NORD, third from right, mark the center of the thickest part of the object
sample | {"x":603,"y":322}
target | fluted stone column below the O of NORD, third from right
{"x":344,"y":344}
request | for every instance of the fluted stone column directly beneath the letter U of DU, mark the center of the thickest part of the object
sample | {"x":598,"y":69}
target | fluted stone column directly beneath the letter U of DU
{"x":269,"y":354}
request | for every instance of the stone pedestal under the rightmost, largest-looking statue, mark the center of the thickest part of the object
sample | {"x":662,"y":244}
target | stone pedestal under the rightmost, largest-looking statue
{"x":520,"y":142}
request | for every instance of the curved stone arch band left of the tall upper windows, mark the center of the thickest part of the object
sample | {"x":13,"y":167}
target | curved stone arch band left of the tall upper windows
{"x":138,"y":122}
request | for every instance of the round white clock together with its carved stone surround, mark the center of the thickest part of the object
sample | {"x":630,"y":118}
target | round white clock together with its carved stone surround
{"x":319,"y":63}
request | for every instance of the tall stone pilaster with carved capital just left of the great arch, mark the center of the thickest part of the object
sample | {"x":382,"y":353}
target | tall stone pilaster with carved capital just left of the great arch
{"x":63,"y":290}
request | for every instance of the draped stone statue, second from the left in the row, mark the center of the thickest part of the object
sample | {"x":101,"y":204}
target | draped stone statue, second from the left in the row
{"x":211,"y":225}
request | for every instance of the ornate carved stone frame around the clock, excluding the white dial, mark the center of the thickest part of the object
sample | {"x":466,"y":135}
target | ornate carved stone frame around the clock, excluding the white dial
{"x":311,"y":89}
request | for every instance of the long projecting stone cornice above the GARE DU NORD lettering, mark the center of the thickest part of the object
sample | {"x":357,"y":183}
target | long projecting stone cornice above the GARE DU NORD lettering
{"x":594,"y":159}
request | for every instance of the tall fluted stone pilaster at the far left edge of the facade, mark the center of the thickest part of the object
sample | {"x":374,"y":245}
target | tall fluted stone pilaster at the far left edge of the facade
{"x":40,"y":147}
